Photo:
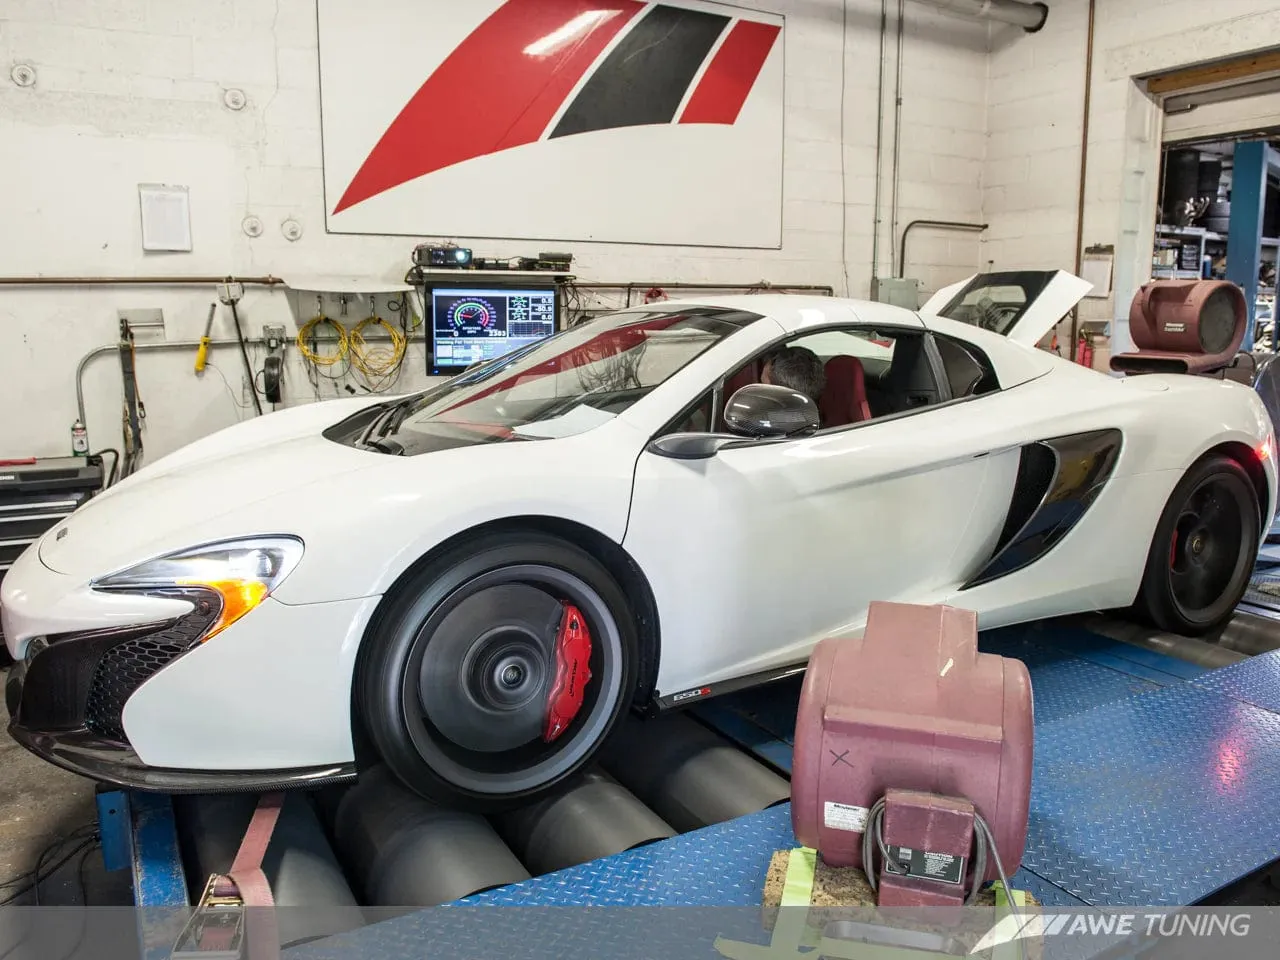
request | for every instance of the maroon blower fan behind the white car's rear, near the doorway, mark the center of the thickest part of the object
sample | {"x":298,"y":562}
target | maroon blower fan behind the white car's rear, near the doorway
{"x":1185,"y":327}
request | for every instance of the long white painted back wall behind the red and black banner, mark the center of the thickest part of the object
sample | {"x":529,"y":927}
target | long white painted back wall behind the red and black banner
{"x":131,"y":92}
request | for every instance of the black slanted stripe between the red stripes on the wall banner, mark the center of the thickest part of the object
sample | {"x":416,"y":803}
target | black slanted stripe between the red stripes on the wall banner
{"x":646,"y":76}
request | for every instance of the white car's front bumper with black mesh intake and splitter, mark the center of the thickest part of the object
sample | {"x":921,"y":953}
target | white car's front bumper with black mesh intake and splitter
{"x":120,"y":688}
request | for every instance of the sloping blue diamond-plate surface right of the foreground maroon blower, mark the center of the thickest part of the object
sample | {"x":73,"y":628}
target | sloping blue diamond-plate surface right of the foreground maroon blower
{"x":1158,"y":799}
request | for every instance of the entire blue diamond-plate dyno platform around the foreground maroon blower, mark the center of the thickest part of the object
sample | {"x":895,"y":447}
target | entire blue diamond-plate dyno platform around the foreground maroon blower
{"x":1155,"y":785}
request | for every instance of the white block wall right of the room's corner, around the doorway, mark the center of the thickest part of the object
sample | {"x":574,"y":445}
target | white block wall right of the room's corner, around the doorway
{"x":1035,"y":116}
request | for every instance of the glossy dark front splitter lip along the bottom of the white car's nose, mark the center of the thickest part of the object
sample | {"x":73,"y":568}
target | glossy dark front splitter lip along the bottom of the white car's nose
{"x":79,"y":749}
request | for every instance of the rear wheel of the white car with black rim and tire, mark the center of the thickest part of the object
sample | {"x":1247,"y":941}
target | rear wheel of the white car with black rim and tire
{"x":1204,"y":551}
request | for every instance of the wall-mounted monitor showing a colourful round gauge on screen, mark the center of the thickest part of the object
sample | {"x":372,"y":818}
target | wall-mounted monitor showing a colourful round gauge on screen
{"x":472,"y":324}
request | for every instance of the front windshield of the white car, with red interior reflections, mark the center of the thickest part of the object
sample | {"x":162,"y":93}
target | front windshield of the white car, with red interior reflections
{"x":564,"y":386}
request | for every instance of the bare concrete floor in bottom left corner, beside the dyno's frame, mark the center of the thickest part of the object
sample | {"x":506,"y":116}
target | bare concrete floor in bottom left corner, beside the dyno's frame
{"x":39,"y":804}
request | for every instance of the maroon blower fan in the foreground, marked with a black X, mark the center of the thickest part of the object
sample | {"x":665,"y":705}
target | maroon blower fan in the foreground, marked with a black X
{"x":915,"y":751}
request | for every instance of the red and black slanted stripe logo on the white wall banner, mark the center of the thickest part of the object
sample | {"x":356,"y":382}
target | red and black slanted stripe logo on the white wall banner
{"x":547,"y":70}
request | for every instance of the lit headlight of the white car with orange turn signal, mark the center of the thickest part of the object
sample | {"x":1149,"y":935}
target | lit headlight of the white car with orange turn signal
{"x":241,"y":573}
